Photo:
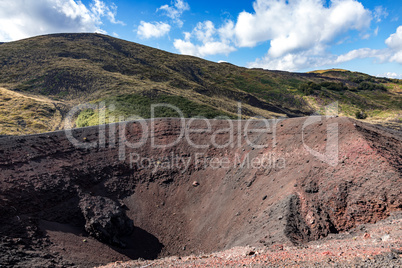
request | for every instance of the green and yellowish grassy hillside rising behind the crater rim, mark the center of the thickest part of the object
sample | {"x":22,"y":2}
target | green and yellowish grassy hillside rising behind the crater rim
{"x":69,"y":69}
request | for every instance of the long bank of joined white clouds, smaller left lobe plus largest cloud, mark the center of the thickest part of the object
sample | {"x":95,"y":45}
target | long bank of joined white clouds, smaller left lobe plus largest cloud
{"x":298,"y":32}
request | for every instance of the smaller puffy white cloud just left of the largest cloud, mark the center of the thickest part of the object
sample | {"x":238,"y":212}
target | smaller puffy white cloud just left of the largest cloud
{"x":208,"y":40}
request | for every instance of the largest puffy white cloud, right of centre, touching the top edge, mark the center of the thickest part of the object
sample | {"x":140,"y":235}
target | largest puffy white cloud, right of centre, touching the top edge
{"x":299,"y":31}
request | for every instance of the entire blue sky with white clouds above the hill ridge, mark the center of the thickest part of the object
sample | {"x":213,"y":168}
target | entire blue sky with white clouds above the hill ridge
{"x":291,"y":35}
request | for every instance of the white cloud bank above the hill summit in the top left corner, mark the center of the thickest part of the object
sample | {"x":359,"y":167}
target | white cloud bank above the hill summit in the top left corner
{"x":21,"y":19}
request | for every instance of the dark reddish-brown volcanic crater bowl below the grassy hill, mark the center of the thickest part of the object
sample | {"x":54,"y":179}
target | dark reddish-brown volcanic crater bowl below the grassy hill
{"x":117,"y":194}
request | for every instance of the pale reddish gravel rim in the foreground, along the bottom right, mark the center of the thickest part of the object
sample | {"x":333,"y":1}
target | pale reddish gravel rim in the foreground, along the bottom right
{"x":370,"y":245}
